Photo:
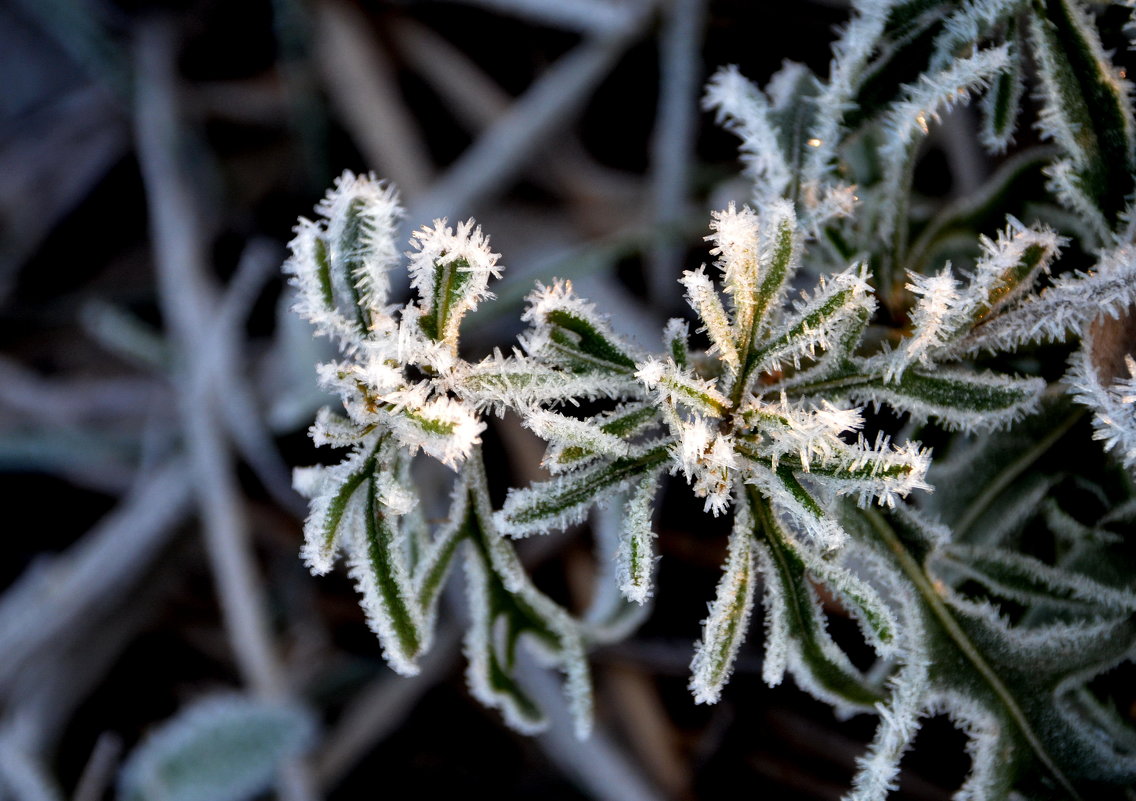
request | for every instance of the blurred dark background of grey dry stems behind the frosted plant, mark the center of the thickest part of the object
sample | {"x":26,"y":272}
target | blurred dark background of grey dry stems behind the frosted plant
{"x":155,"y":391}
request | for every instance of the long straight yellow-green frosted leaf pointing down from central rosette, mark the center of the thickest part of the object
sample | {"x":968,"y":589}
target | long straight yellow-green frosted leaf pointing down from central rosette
{"x":725,"y":629}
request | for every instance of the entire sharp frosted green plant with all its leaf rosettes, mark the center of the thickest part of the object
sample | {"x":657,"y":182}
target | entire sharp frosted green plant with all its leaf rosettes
{"x":771,"y":423}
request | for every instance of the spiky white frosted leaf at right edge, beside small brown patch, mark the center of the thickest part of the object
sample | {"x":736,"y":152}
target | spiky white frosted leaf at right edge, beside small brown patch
{"x":1114,"y":406}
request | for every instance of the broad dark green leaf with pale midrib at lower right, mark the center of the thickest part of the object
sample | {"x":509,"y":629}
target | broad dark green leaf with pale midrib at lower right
{"x":1001,"y":682}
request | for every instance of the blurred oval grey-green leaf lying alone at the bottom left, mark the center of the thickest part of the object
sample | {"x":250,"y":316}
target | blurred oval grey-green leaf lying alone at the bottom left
{"x":221,"y":749}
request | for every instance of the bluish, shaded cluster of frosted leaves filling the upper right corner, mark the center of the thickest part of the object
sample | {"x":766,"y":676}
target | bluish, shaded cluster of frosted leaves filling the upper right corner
{"x":855,"y":140}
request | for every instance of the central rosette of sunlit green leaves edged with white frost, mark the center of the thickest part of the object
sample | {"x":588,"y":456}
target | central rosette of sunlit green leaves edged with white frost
{"x":761,"y":423}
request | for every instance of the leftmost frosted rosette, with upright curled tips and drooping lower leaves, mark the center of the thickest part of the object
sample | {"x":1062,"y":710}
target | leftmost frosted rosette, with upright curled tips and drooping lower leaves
{"x":400,"y":382}
